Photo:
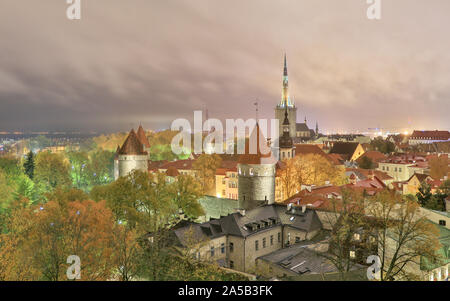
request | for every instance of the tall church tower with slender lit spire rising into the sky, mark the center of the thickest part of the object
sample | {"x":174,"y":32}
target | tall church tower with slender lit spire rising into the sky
{"x":286,"y":103}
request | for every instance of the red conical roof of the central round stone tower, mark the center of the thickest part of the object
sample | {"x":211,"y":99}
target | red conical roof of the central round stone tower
{"x":256,"y":149}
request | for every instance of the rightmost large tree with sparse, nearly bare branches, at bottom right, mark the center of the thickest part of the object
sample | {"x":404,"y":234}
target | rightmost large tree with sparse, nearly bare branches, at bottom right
{"x":404,"y":235}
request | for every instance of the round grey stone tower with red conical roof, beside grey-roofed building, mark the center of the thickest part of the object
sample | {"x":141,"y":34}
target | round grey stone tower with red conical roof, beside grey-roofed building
{"x":256,"y":172}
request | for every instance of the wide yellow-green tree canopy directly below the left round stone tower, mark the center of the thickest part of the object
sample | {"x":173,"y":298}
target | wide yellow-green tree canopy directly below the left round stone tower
{"x":148,"y":202}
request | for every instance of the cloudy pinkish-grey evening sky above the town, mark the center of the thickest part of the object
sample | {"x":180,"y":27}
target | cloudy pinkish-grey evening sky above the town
{"x":152,"y":61}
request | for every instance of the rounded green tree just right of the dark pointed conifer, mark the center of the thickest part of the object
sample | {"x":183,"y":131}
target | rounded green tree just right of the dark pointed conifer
{"x":51,"y":171}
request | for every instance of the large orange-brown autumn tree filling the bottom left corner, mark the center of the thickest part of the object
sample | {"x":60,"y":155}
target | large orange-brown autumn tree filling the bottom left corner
{"x":42,"y":237}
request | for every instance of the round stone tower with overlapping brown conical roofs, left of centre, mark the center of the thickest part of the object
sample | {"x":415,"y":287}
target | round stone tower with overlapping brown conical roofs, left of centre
{"x":133,"y":155}
